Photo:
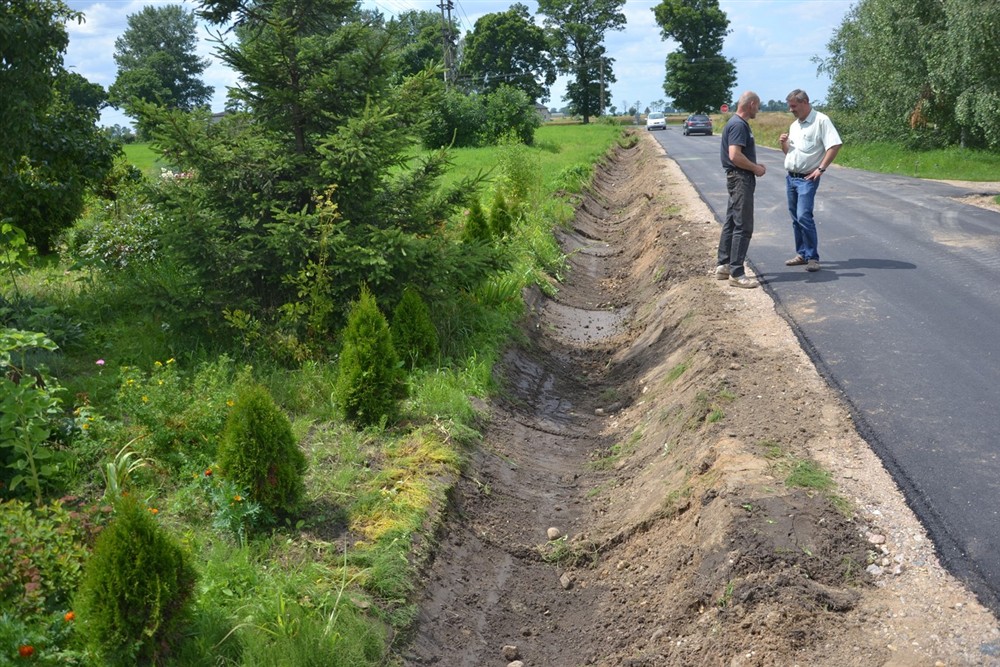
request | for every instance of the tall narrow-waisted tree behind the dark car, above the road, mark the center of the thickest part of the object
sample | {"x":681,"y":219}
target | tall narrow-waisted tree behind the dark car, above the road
{"x":698,"y":77}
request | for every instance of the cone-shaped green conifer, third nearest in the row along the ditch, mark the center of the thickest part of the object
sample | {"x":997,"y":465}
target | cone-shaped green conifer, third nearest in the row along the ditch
{"x":369,"y":379}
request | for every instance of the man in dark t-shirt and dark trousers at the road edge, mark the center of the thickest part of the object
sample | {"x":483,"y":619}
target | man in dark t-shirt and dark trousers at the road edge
{"x":739,"y":160}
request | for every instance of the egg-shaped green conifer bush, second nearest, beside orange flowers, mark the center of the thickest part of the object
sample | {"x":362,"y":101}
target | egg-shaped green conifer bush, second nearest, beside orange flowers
{"x":258,"y":452}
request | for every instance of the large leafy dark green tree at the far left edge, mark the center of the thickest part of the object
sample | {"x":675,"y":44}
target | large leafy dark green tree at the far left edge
{"x":51,"y":149}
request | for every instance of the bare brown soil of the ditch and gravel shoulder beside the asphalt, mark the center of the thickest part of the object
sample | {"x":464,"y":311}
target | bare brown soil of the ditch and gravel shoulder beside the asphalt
{"x":652,"y":417}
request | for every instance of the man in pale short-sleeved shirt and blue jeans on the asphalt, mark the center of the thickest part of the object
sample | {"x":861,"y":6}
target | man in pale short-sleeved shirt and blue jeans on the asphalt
{"x":810,"y":146}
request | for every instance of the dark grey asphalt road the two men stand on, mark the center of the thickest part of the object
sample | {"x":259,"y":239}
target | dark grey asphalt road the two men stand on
{"x":904,"y":319}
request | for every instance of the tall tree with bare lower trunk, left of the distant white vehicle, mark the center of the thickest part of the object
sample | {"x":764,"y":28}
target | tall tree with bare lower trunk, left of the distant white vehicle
{"x":577,"y":29}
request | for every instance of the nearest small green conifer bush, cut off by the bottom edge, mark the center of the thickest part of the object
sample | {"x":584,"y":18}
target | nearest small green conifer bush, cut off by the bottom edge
{"x":136,"y":589}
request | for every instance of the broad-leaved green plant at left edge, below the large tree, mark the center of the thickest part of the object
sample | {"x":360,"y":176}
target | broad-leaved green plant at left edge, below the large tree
{"x":29,"y":412}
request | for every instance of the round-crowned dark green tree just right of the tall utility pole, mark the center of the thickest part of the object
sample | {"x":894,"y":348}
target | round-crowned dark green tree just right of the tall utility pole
{"x":508,"y":48}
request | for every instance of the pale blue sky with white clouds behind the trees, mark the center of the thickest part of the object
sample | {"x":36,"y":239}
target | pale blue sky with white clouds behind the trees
{"x":772,"y":41}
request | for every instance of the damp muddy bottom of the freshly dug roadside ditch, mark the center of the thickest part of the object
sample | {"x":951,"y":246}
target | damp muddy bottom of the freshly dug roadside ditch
{"x":490,"y":585}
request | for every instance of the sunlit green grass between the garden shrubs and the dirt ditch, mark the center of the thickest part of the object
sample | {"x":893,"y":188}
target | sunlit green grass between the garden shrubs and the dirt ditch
{"x":334,"y":585}
